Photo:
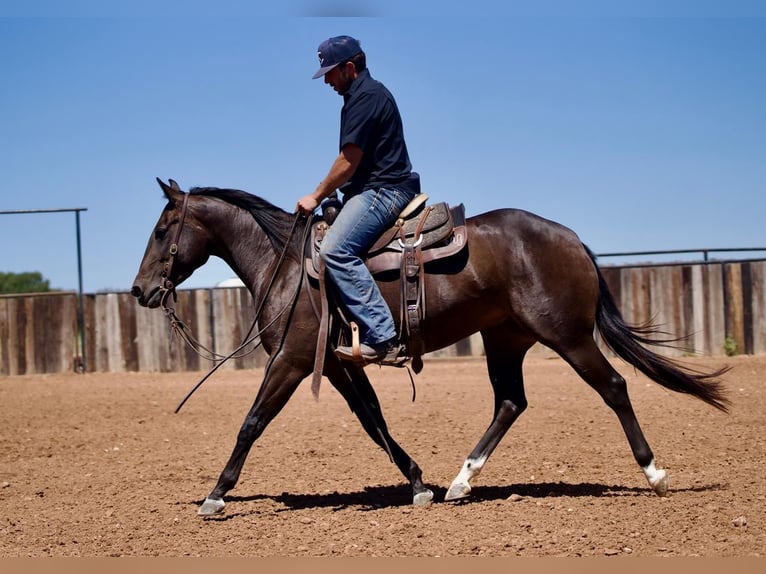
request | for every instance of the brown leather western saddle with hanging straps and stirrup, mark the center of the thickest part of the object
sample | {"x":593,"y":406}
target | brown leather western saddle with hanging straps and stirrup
{"x":421,"y":234}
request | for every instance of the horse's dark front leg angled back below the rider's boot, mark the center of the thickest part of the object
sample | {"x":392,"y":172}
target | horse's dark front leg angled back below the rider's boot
{"x":355,"y":387}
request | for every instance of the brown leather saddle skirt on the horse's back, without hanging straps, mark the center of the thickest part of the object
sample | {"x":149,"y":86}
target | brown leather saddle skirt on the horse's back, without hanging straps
{"x":440,"y":229}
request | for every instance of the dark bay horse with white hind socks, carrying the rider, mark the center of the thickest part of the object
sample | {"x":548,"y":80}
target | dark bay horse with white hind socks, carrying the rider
{"x":522,"y":279}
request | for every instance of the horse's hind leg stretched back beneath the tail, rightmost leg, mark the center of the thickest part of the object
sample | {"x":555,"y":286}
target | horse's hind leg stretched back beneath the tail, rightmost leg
{"x":588,"y":361}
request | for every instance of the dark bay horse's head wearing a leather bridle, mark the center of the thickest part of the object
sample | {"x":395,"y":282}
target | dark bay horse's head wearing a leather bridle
{"x":176,"y":248}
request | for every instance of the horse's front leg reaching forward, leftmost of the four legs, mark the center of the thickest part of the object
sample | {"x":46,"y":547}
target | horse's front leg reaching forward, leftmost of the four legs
{"x":278,"y":386}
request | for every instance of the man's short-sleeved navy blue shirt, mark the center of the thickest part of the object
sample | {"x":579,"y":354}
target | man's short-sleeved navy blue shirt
{"x":370,"y":119}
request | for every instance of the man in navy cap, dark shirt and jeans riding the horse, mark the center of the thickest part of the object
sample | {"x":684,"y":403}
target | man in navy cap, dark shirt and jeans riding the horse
{"x":374,"y":173}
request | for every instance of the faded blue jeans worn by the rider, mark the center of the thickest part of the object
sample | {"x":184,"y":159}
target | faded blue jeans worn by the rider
{"x":361,"y":221}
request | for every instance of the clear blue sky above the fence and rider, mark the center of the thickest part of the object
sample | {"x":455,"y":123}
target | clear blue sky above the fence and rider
{"x":639,"y":133}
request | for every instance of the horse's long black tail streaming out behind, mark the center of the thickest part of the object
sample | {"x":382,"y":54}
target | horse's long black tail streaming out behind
{"x":629,"y":342}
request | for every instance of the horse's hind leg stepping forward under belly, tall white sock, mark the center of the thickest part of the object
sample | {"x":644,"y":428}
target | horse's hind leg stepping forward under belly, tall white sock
{"x":504,"y":360}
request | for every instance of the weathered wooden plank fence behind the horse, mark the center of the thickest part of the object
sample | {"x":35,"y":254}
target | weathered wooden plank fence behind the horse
{"x":38,"y":333}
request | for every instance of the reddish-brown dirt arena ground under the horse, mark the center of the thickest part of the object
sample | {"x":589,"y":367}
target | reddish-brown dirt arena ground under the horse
{"x":98,"y":465}
